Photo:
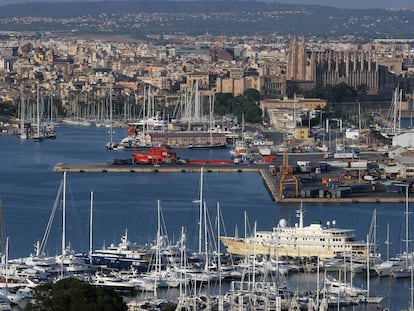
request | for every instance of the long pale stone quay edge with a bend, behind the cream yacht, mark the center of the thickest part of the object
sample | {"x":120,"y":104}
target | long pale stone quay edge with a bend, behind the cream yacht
{"x":269,"y":180}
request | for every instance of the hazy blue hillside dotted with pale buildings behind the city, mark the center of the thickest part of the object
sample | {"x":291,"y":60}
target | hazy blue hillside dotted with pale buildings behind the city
{"x":232,"y":17}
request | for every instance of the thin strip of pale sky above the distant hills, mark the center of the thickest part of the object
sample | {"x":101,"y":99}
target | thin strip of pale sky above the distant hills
{"x":357,"y":4}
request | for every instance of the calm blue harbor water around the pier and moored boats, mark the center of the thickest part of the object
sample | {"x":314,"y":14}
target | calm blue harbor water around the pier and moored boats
{"x":28,"y":188}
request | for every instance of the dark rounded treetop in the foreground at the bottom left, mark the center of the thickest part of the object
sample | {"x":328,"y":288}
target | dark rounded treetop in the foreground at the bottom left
{"x":72,"y":294}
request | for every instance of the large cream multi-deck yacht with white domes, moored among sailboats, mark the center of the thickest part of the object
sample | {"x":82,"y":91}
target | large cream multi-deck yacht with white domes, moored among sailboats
{"x":314,"y":240}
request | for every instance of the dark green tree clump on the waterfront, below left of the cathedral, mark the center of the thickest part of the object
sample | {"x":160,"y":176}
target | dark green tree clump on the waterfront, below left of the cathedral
{"x":246,"y":104}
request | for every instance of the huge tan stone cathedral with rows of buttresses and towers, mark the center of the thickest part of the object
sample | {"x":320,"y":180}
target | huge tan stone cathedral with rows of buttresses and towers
{"x":319,"y":68}
